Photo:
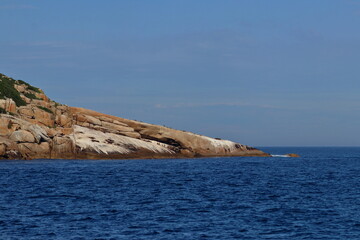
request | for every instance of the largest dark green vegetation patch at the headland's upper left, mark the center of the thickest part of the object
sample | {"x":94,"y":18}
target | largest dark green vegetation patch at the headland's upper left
{"x":7,"y":90}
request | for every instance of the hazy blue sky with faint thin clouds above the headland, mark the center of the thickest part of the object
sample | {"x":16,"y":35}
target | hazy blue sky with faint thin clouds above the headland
{"x":260,"y":72}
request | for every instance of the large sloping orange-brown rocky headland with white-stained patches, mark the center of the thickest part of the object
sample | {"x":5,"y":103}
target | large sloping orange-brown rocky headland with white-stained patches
{"x":33,"y":126}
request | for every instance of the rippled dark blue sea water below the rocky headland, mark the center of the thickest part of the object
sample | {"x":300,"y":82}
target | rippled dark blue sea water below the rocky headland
{"x":316,"y":196}
